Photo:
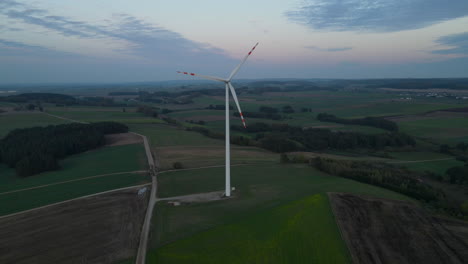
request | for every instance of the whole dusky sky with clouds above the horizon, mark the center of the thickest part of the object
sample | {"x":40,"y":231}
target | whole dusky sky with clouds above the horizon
{"x":108,"y":41}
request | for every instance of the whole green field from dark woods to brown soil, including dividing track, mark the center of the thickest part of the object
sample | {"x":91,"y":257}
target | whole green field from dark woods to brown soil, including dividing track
{"x":107,"y":160}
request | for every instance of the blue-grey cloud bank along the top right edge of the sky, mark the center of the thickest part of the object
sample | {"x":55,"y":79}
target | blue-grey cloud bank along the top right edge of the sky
{"x":376,"y":15}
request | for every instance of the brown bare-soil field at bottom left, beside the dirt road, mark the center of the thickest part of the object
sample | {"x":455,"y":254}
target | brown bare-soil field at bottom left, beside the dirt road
{"x":98,"y":229}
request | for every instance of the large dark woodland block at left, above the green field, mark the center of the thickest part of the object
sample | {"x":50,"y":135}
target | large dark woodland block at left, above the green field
{"x":34,"y":150}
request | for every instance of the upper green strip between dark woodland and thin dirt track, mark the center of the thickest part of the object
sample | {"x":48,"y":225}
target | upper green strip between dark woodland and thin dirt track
{"x":101,"y":161}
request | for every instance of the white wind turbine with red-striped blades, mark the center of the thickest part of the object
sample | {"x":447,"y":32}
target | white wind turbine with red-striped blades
{"x":234,"y":95}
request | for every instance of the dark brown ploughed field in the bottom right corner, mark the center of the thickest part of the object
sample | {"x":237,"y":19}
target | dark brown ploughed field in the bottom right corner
{"x":388,"y":231}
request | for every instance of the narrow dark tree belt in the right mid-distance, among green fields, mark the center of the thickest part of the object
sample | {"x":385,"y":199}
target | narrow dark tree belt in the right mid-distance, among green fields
{"x":378,"y":122}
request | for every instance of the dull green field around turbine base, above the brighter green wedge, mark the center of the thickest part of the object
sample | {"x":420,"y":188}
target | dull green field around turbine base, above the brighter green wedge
{"x":258,"y":188}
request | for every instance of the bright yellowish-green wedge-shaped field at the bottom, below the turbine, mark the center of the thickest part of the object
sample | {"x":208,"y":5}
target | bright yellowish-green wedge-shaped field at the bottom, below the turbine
{"x":302,"y":231}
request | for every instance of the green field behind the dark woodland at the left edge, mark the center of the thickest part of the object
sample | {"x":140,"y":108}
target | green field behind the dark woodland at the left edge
{"x":14,"y":120}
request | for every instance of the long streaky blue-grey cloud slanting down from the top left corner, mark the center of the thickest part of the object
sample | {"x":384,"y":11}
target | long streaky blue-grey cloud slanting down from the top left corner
{"x":145,"y":40}
